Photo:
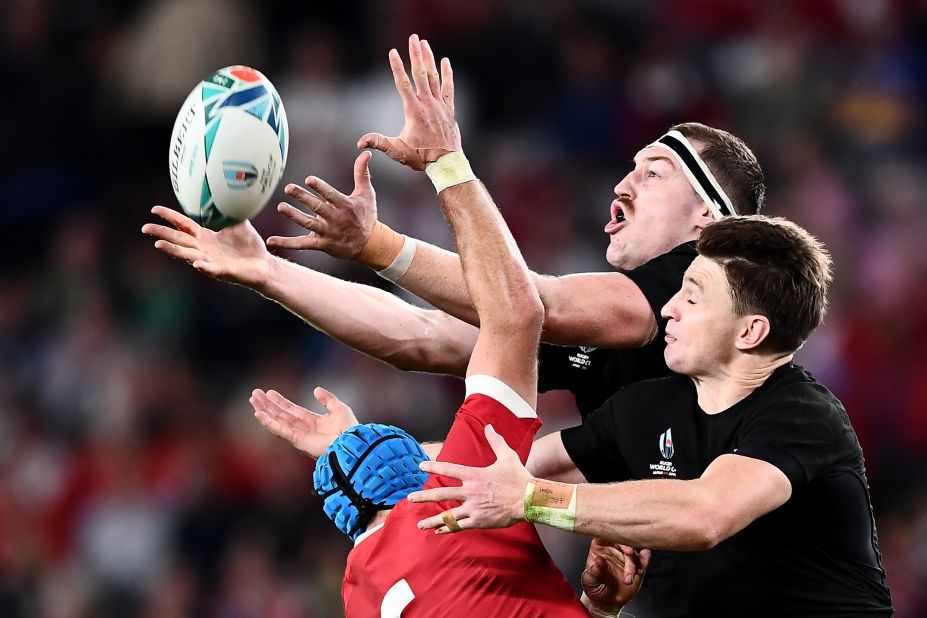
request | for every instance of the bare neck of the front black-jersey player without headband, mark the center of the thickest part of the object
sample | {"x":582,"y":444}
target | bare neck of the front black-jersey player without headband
{"x":735,"y":381}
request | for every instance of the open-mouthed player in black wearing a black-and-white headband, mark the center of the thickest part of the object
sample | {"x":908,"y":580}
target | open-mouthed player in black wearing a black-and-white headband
{"x":682,"y":181}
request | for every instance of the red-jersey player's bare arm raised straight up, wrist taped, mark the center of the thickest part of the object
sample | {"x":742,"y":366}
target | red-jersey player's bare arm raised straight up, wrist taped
{"x":495,"y":273}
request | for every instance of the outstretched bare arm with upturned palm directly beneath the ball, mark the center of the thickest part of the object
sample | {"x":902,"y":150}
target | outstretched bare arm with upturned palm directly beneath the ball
{"x":363,"y":317}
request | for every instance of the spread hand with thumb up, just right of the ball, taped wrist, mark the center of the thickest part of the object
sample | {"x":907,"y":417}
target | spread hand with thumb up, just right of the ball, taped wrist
{"x":340,"y":224}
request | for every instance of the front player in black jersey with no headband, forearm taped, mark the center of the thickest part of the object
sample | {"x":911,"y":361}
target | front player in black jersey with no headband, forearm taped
{"x":746,"y":478}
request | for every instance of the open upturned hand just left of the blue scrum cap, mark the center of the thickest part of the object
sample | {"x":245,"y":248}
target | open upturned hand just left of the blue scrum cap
{"x":308,"y":431}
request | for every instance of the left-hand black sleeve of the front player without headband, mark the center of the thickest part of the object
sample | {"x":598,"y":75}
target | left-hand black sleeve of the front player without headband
{"x":594,"y":445}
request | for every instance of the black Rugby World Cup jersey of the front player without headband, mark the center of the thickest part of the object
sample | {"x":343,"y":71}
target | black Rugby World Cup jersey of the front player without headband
{"x":816,"y":555}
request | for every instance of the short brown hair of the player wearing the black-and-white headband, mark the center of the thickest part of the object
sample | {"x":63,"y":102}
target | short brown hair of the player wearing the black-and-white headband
{"x":733,"y":164}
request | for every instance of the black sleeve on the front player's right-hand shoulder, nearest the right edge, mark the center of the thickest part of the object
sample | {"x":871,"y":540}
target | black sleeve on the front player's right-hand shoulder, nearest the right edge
{"x":800,"y":438}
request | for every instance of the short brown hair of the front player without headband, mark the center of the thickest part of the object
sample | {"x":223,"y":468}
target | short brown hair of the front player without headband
{"x":774,"y":268}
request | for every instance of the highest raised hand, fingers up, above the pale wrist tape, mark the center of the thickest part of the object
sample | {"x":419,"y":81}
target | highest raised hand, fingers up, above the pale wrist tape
{"x":430,"y":129}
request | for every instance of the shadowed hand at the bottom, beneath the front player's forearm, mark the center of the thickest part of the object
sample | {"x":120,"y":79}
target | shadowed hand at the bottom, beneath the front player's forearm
{"x":613,"y":574}
